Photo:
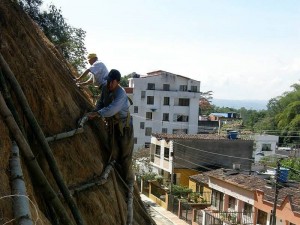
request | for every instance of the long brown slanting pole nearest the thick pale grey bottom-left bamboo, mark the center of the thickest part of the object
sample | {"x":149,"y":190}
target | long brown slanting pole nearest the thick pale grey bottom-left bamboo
{"x":33,"y":165}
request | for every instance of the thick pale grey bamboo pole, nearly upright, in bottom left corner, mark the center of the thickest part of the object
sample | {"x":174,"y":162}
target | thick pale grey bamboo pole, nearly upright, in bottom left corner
{"x":21,"y":206}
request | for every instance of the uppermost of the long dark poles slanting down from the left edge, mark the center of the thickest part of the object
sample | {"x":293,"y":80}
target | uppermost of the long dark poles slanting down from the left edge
{"x":41,"y":138}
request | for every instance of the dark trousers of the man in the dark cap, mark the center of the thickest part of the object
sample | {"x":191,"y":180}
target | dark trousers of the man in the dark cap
{"x":124,"y":144}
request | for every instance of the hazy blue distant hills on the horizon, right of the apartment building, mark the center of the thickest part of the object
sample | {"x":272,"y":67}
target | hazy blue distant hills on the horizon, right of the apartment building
{"x":237,"y":104}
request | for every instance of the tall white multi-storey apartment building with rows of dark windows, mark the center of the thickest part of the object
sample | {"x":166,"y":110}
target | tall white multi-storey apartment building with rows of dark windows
{"x":163,"y":102}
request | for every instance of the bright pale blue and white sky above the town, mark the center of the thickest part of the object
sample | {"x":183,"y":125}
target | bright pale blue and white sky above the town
{"x":239,"y":49}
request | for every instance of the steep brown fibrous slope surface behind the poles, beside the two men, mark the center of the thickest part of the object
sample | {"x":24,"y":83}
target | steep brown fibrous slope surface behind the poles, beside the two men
{"x":47,"y":82}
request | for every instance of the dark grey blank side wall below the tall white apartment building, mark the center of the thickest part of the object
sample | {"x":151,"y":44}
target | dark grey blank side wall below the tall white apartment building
{"x":202,"y":153}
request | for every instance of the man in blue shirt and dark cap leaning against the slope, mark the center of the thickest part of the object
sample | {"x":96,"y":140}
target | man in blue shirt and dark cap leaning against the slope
{"x":113,"y":106}
